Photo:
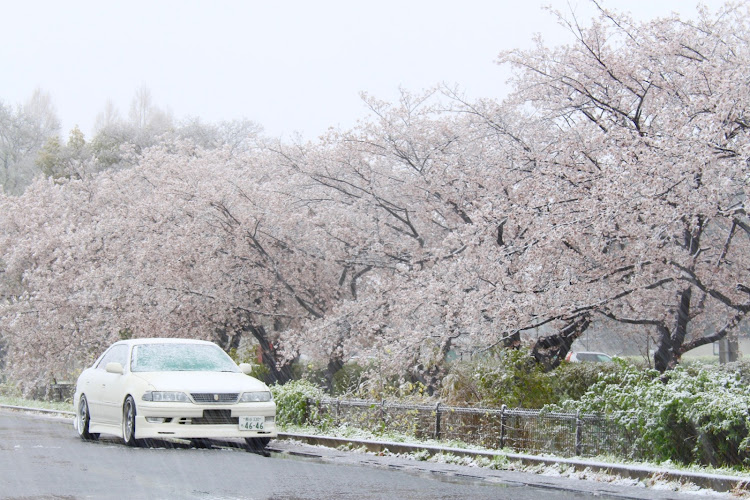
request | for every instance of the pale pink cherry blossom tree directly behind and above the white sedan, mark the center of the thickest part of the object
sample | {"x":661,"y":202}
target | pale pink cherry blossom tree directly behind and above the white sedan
{"x":190,"y":242}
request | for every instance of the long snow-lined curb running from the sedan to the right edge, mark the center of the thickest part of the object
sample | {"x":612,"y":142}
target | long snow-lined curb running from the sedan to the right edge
{"x":719,"y":483}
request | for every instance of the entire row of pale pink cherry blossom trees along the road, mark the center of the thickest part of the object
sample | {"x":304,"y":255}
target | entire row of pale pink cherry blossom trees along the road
{"x":612,"y":183}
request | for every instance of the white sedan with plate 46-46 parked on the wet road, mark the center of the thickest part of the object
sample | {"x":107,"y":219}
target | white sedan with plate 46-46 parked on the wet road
{"x":172,"y":388}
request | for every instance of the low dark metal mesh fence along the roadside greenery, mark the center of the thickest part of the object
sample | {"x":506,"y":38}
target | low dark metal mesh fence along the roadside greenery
{"x":520,"y":430}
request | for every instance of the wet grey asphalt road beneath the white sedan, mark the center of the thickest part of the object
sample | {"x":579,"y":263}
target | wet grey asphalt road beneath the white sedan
{"x":43,"y":458}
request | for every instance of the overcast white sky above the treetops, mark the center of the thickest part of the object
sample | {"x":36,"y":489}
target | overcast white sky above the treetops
{"x":289,"y":65}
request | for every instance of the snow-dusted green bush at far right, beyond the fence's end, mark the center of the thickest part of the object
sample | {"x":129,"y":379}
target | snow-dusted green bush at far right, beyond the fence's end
{"x":697,"y":415}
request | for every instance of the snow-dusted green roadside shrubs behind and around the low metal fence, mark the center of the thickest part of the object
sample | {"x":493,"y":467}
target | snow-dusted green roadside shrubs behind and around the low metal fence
{"x":694,"y":415}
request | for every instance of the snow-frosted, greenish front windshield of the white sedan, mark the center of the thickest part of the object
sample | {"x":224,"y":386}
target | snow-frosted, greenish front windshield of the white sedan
{"x":169,"y":357}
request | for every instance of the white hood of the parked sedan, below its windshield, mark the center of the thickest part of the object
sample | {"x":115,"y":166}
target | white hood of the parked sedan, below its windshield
{"x":201,"y":381}
